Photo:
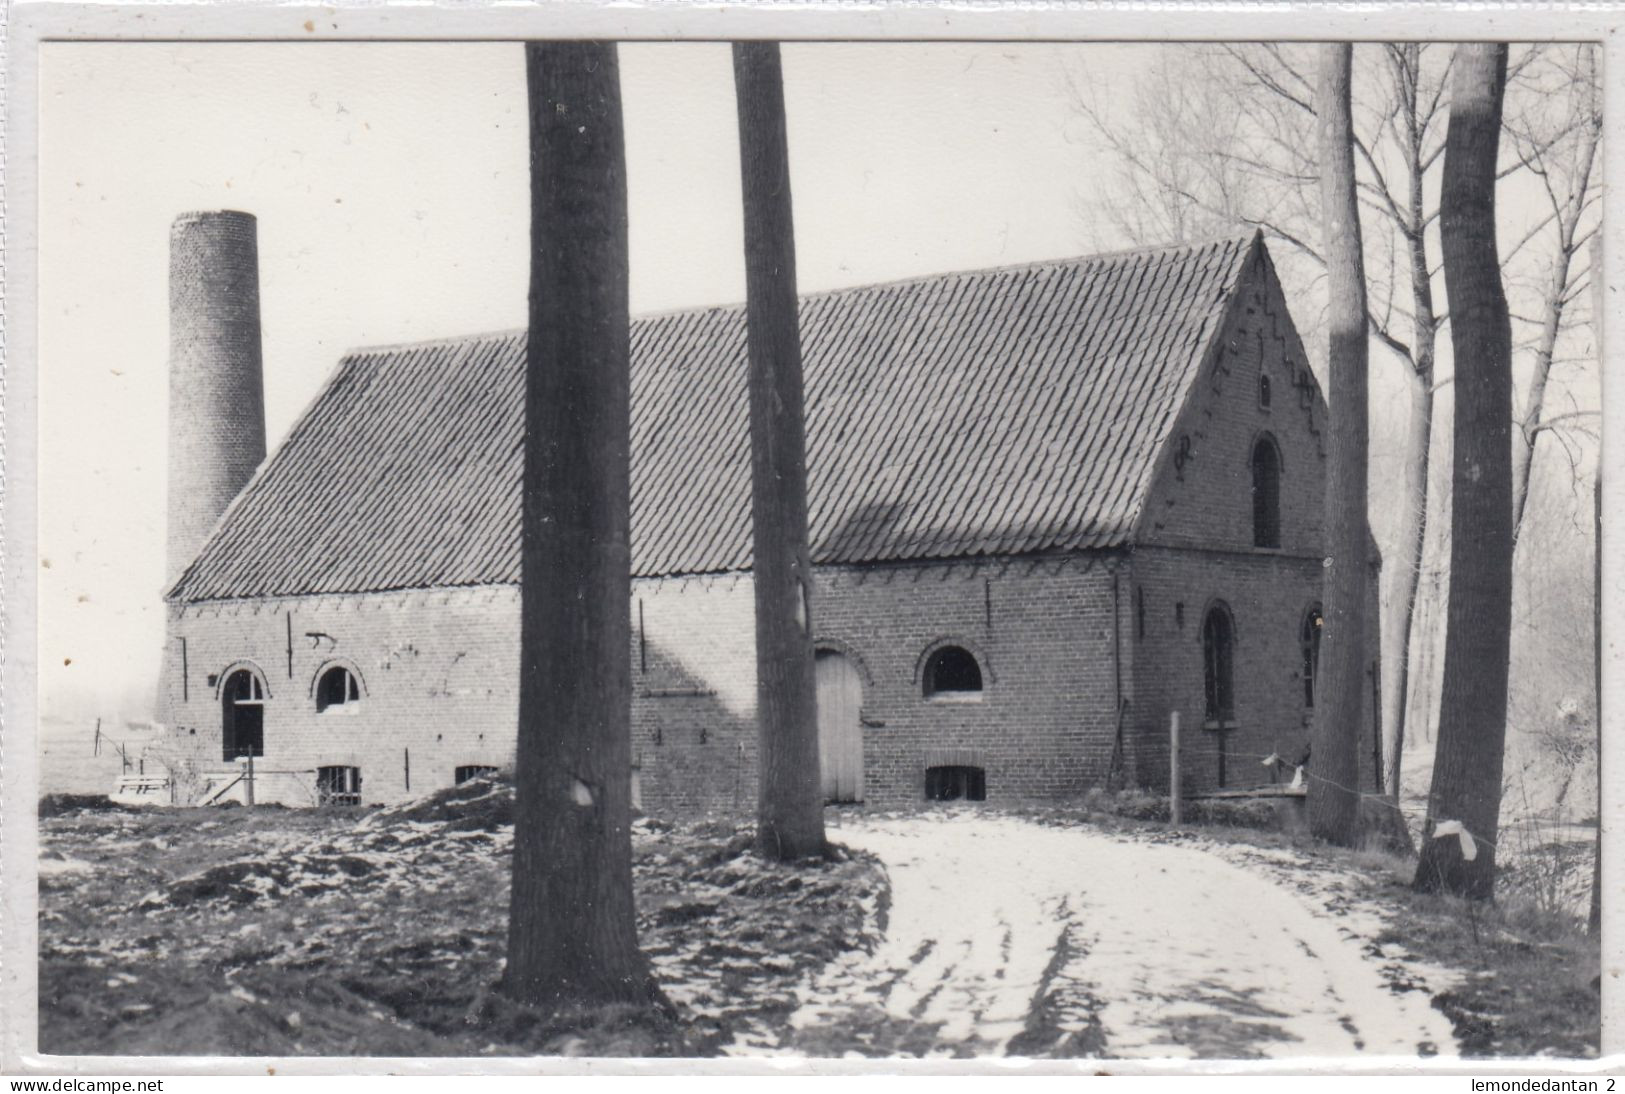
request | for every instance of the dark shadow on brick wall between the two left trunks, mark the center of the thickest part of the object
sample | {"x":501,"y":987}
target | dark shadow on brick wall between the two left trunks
{"x":691,"y":755}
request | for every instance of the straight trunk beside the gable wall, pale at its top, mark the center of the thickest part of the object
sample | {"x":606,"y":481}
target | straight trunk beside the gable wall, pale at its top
{"x":1335,"y":779}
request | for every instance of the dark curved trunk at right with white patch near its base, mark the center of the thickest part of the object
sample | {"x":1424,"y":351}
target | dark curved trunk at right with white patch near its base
{"x":1473,"y":703}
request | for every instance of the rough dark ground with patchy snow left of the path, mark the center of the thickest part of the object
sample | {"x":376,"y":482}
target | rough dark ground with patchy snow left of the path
{"x":349,"y":932}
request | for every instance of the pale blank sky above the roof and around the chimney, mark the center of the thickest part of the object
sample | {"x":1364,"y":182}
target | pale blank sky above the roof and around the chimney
{"x":391,"y":188}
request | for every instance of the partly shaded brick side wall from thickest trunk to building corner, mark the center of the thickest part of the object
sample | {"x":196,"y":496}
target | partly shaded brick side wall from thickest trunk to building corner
{"x":1042,"y":633}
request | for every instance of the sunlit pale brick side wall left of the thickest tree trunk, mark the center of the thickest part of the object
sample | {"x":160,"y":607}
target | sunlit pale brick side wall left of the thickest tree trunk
{"x":438,"y":672}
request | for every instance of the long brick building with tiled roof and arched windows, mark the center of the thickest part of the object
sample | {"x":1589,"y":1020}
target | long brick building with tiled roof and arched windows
{"x":1051,"y":506}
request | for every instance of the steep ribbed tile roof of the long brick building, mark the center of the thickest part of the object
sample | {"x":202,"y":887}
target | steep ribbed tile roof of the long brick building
{"x":999,"y":412}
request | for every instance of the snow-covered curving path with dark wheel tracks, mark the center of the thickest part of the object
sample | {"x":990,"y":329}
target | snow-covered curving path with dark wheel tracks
{"x":1015,"y":939}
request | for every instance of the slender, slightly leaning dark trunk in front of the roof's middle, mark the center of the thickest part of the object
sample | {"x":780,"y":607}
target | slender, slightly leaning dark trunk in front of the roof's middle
{"x":791,"y":801}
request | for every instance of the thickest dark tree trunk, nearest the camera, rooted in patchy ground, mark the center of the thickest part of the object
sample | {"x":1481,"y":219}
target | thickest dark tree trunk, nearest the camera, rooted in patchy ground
{"x":573,"y":937}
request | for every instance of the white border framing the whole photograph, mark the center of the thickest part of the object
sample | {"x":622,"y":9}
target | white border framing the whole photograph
{"x":32,"y":25}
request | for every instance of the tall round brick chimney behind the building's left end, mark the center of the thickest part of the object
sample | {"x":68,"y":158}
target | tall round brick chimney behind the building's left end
{"x":217,"y":388}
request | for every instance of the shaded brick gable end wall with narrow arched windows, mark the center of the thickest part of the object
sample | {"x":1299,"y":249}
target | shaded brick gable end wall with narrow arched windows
{"x":1197,"y":549}
